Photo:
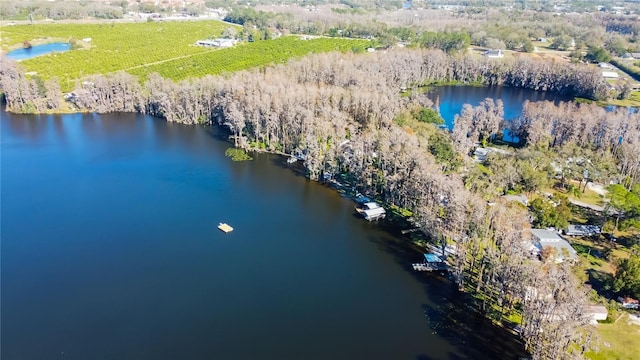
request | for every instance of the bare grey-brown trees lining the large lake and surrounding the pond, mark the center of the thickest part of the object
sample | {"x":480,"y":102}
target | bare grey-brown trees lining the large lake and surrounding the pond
{"x":342,"y":113}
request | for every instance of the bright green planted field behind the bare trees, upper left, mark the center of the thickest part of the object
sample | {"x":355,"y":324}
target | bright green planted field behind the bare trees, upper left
{"x":164,"y":47}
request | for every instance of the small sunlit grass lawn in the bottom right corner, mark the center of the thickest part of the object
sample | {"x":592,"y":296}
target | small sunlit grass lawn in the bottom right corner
{"x":621,"y":338}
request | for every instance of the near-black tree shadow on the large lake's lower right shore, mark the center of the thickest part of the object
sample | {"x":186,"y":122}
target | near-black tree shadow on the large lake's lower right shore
{"x":450,"y":313}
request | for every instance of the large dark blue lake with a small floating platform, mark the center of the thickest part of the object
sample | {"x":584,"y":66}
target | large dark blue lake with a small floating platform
{"x":110,"y":250}
